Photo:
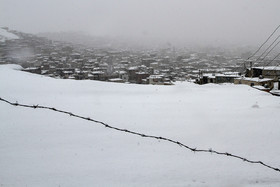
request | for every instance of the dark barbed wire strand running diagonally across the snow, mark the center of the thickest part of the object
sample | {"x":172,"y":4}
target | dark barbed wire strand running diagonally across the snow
{"x":143,"y":135}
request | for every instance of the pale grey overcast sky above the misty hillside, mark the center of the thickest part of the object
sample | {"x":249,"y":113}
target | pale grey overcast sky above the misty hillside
{"x":202,"y":21}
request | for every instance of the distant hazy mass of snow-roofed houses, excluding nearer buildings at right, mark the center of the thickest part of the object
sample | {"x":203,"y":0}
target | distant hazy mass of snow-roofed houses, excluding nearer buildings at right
{"x":70,"y":61}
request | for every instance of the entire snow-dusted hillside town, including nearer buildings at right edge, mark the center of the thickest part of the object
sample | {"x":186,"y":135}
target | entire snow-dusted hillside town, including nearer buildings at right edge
{"x":162,"y":67}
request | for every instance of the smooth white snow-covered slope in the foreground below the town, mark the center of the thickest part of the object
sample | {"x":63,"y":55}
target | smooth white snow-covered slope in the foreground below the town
{"x":45,"y":148}
